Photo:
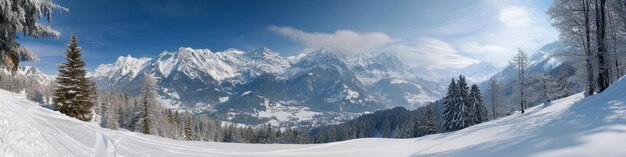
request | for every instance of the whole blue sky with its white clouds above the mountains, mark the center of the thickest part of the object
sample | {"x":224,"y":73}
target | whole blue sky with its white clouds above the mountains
{"x":426,"y":33}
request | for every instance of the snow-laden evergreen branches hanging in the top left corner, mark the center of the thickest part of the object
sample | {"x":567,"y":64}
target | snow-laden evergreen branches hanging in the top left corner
{"x":22,"y":16}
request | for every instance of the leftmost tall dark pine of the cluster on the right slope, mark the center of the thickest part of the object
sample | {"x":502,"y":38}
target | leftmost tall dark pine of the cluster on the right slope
{"x":450,"y":107}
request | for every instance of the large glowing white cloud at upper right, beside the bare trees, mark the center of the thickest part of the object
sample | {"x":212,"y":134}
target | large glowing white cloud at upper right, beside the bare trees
{"x":517,"y":26}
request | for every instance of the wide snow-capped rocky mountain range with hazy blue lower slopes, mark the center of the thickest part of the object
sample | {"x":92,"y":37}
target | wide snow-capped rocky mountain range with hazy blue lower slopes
{"x":255,"y":86}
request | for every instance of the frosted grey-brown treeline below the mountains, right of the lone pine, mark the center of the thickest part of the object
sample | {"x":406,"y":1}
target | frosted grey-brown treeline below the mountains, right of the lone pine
{"x":116,"y":110}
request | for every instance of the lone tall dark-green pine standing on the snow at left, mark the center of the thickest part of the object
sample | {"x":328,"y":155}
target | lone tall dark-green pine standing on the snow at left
{"x":73,"y":95}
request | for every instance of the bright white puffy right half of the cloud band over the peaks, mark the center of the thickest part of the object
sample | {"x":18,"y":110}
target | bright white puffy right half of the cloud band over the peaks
{"x":429,"y":53}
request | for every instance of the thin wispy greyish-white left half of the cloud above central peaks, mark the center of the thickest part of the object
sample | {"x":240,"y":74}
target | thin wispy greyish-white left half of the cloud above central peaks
{"x":344,"y":40}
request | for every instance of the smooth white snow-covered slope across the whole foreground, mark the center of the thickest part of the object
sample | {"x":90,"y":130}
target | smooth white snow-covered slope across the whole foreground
{"x":573,"y":126}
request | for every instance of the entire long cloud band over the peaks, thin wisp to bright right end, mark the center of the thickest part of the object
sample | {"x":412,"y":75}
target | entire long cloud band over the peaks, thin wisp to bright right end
{"x":423,"y":52}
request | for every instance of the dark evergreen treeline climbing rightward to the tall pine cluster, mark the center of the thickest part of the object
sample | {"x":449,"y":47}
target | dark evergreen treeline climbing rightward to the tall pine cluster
{"x":462,"y":107}
